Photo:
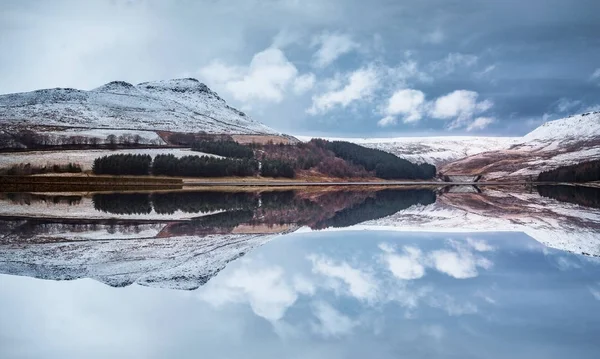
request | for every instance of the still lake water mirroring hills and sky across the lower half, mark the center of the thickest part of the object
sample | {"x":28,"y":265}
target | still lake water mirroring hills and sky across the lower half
{"x":410,"y":273}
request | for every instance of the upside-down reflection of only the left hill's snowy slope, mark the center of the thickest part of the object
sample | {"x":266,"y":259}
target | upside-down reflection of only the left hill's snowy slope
{"x":178,"y":263}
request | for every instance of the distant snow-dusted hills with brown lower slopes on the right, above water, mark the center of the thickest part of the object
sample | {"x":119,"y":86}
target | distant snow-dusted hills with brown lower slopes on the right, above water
{"x":553,"y":144}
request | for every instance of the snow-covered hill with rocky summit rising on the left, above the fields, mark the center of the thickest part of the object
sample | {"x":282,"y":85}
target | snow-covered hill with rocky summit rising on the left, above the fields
{"x":180,"y":105}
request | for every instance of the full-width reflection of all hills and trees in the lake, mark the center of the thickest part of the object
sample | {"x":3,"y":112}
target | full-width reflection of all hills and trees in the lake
{"x":184,"y":253}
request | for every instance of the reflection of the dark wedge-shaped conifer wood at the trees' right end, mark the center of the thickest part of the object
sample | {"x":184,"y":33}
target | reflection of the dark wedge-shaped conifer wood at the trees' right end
{"x":383,"y":204}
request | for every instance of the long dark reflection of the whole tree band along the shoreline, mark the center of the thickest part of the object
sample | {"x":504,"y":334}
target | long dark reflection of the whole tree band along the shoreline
{"x":317,"y":210}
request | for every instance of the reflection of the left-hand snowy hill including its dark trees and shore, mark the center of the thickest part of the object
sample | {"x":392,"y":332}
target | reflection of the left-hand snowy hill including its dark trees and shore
{"x":175,"y":253}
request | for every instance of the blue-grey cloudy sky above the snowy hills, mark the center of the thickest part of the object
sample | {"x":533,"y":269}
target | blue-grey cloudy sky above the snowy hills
{"x":348,"y":68}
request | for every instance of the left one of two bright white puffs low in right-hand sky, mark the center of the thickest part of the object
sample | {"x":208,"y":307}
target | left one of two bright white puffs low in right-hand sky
{"x":408,"y":103}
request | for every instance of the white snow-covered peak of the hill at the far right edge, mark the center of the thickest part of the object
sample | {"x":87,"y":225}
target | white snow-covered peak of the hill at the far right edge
{"x":575,"y":127}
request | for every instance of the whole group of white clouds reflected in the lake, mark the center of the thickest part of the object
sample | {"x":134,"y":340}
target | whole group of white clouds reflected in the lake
{"x":270,"y":290}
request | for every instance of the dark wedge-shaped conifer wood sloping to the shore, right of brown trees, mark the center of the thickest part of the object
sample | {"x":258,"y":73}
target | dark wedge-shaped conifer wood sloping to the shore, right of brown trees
{"x":385,"y":165}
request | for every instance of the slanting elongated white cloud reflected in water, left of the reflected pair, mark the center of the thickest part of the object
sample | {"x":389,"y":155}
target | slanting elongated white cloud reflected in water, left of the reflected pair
{"x":360,"y":284}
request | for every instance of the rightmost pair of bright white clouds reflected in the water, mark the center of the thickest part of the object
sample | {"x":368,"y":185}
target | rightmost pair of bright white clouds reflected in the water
{"x":461,"y":262}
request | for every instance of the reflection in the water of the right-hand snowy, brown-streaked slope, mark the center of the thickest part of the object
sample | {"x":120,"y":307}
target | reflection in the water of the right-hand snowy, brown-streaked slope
{"x":558,"y":225}
